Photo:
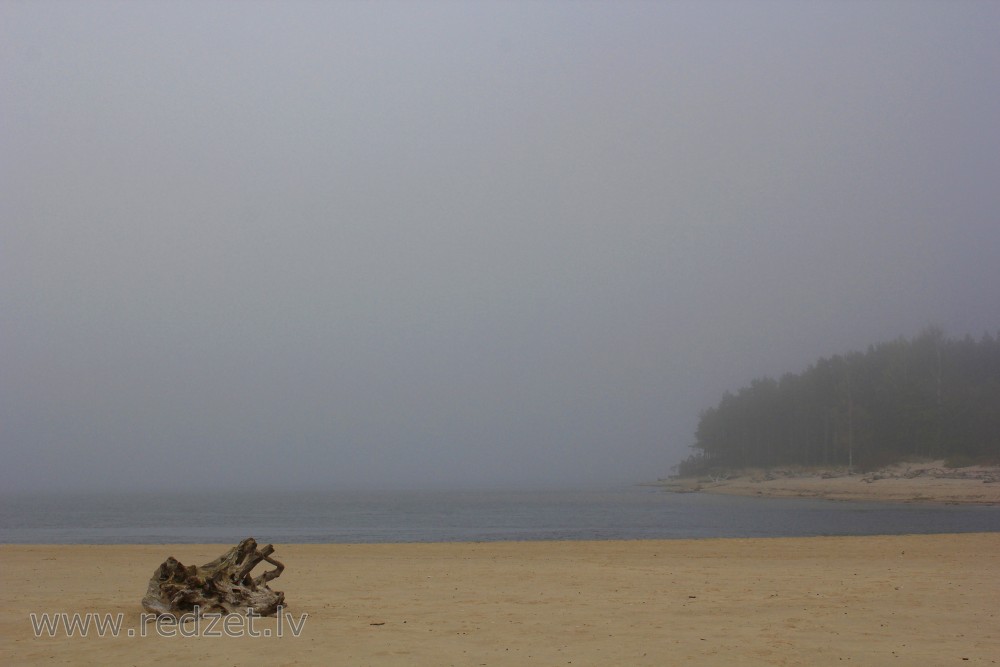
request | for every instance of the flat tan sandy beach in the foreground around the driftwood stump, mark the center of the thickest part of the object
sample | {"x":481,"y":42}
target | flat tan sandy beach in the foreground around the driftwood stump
{"x":900,"y":600}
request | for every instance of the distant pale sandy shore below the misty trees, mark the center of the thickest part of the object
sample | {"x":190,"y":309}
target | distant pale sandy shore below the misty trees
{"x":908,"y":482}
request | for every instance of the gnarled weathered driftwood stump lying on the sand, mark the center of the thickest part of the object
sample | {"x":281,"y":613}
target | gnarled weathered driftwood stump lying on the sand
{"x":222,"y":586}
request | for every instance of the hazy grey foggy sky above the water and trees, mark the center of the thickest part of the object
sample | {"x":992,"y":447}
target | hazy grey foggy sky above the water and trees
{"x":435,"y":244}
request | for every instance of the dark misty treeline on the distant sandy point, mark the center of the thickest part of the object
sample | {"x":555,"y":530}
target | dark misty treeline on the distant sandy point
{"x":929,"y":397}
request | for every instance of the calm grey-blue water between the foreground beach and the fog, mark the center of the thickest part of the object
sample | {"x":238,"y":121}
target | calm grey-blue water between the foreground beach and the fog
{"x":626,"y":513}
